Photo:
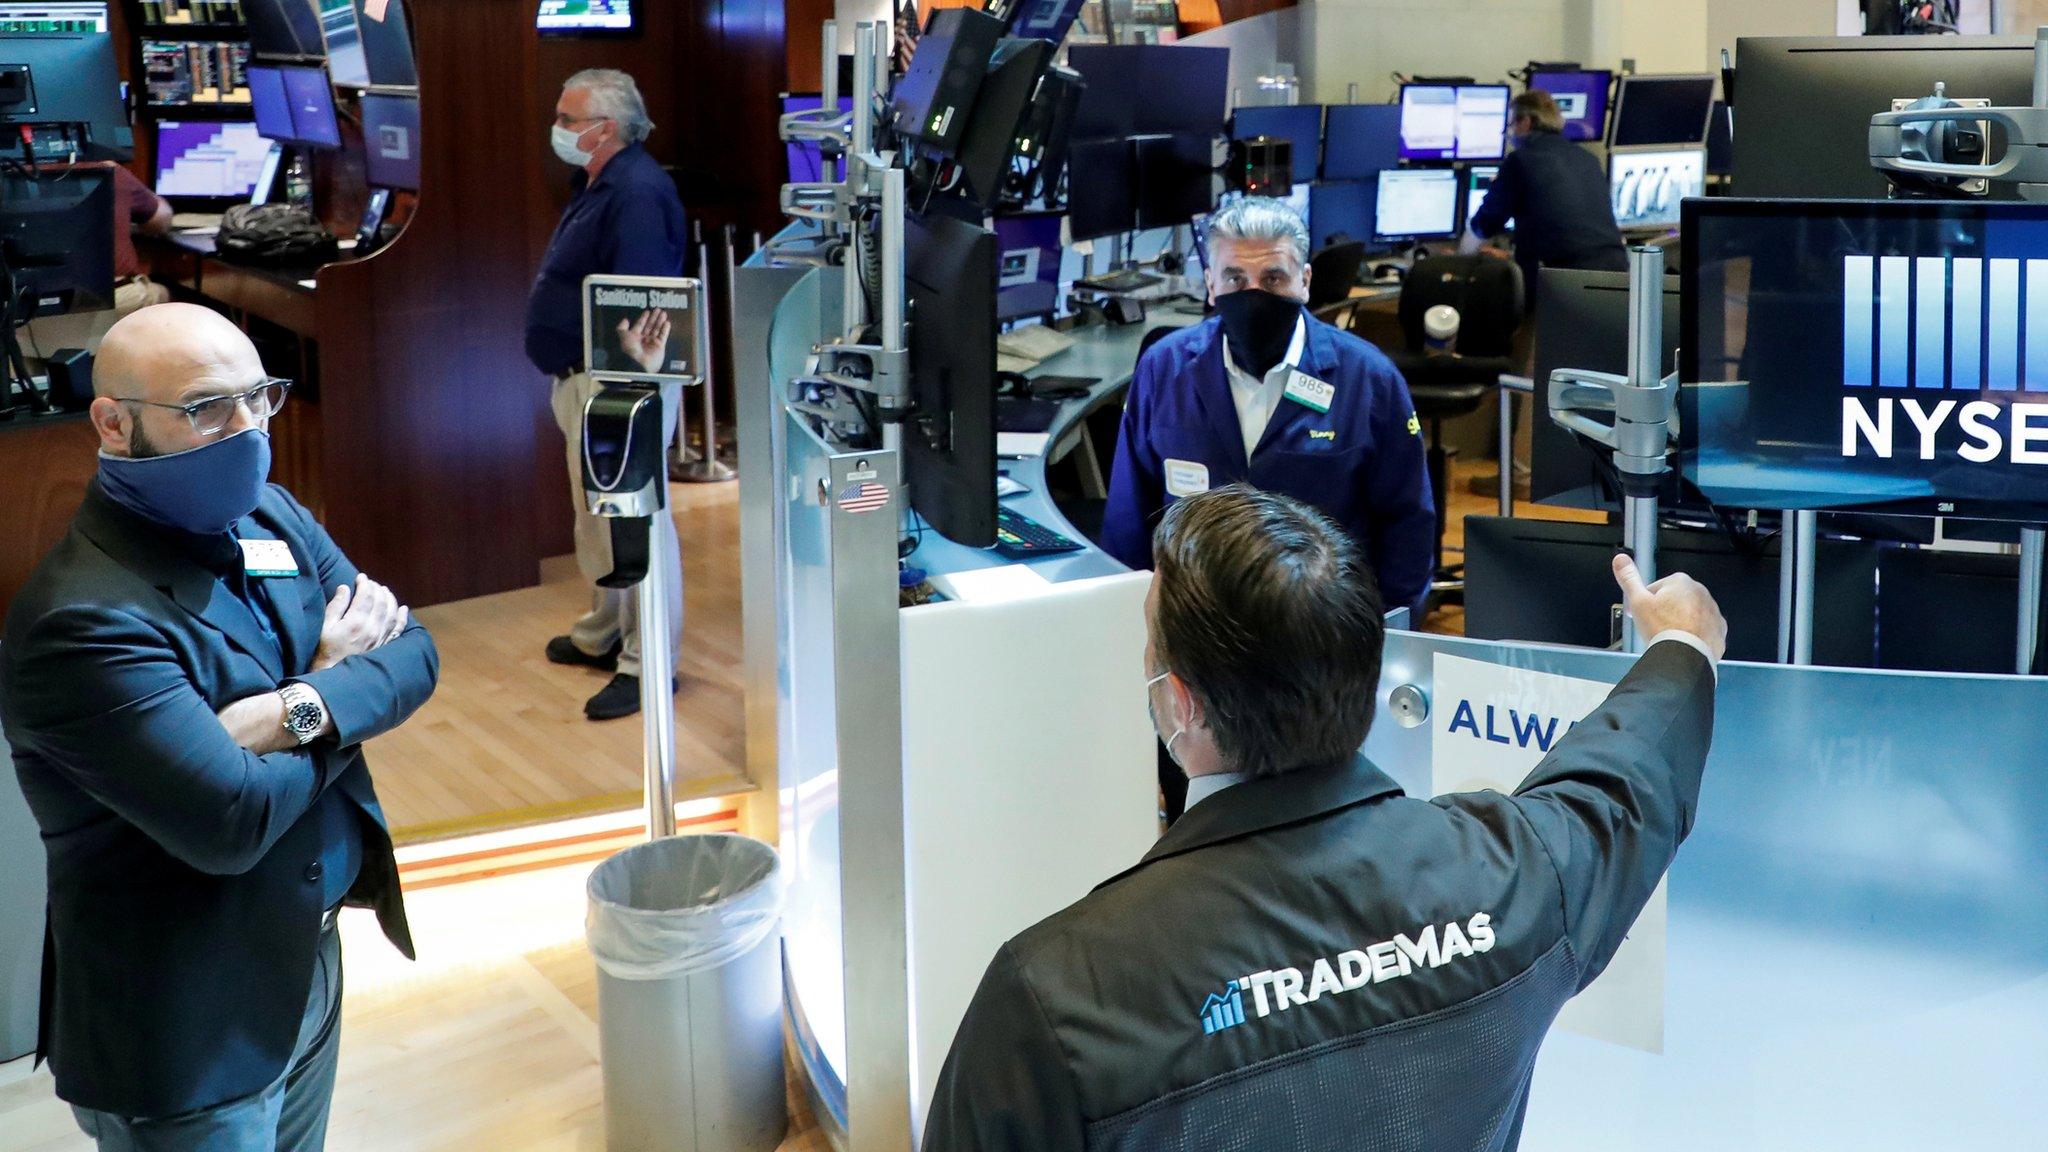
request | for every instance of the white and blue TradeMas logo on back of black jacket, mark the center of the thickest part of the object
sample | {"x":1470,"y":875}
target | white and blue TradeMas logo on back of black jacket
{"x":1285,"y":989}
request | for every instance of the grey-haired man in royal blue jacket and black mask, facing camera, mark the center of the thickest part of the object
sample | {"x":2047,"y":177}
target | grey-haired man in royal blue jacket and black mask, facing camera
{"x":1269,"y":395}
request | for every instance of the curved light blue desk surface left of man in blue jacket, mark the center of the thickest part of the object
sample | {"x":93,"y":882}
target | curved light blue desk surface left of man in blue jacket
{"x":1107,"y":354}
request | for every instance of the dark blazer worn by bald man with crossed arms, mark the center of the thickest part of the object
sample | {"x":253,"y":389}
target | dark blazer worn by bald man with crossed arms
{"x":185,"y":895}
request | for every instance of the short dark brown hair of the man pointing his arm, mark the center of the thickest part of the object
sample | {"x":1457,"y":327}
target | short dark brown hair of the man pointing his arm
{"x":1273,"y":618}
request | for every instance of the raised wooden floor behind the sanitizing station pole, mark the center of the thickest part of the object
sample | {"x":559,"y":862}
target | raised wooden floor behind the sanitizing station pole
{"x":505,"y":739}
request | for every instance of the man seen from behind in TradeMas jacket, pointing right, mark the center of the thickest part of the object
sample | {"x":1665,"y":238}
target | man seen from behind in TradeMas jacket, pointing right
{"x":1312,"y":958}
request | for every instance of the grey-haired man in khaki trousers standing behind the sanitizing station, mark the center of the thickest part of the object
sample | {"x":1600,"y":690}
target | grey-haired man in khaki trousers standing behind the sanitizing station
{"x":624,"y":220}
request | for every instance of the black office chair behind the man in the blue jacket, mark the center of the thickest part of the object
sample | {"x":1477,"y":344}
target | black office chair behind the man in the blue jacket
{"x":1488,"y":296}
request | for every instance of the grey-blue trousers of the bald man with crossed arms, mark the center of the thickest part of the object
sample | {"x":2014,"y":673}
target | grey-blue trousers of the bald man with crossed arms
{"x":290,"y":1116}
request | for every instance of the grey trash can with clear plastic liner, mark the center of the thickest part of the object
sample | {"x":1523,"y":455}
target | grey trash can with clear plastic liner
{"x":685,"y":936}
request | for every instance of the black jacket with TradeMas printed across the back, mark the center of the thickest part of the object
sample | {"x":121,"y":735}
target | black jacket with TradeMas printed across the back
{"x":1320,"y":962}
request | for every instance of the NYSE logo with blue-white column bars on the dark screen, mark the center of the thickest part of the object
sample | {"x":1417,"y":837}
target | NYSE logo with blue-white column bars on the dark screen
{"x":1932,"y":325}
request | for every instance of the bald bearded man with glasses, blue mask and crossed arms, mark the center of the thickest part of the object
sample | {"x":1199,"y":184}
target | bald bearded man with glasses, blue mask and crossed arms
{"x":187,"y":684}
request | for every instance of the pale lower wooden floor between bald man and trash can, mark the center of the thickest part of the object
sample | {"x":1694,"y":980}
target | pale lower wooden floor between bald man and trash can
{"x":488,"y":1044}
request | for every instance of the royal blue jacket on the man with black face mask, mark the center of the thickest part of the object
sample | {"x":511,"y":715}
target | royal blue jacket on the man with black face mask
{"x":1363,"y":462}
